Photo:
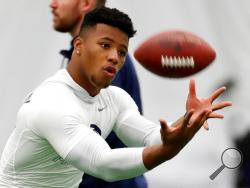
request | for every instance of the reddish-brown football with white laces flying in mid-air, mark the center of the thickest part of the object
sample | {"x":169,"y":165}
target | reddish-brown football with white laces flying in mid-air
{"x":175,"y":54}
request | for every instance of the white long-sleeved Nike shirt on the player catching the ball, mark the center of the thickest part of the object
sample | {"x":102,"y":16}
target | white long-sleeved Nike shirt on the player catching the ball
{"x":60,"y":132}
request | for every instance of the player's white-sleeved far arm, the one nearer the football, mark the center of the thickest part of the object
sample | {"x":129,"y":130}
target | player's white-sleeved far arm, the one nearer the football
{"x":132,"y":128}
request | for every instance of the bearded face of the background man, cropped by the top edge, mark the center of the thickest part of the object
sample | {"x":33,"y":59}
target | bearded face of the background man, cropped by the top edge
{"x":66,"y":14}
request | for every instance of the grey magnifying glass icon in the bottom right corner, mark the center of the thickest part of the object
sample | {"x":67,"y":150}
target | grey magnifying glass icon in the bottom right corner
{"x":231,"y":158}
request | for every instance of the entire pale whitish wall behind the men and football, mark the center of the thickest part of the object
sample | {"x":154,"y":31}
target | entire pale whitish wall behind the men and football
{"x":29,"y":53}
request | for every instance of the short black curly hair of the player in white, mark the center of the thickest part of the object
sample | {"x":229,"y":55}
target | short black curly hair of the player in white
{"x":109,"y":16}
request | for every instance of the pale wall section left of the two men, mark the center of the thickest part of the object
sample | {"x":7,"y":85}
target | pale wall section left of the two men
{"x":29,"y":54}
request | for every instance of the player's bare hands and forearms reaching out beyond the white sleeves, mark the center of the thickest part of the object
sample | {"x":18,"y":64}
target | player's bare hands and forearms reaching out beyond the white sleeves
{"x":176,"y":136}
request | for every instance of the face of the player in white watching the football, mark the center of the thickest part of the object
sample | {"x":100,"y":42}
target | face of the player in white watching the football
{"x":103,"y":50}
